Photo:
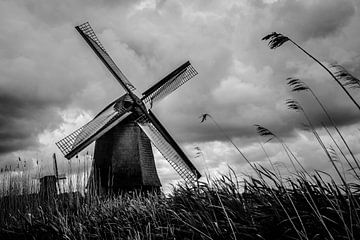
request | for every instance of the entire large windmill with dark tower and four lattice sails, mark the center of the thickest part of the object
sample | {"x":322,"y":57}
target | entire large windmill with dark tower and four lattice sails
{"x":123,"y":158}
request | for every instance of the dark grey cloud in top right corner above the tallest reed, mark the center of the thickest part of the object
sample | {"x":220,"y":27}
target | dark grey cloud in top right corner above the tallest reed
{"x":312,"y":19}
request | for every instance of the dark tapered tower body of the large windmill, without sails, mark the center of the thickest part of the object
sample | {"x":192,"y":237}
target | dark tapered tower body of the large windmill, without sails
{"x":124,"y":161}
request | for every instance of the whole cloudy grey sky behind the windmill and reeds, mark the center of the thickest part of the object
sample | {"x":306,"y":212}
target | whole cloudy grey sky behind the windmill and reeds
{"x":52,"y":83}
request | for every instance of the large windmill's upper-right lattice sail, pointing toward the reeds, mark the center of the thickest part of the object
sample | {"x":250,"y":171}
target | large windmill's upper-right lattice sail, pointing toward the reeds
{"x":170,"y":83}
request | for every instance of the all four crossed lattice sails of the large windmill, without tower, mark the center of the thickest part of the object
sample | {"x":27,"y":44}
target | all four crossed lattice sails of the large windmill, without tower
{"x":129,"y":105}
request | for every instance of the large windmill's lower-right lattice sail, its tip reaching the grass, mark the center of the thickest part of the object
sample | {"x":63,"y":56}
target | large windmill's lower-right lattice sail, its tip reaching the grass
{"x":168,"y":147}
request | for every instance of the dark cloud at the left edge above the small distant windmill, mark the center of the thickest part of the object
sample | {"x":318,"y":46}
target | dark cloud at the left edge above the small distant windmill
{"x":22,"y":119}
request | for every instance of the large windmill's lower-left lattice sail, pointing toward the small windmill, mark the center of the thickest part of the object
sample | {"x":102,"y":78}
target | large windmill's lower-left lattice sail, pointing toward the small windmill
{"x":82,"y":137}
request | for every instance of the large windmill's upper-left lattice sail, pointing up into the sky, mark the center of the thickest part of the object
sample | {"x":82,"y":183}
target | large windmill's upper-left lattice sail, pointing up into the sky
{"x":90,"y":37}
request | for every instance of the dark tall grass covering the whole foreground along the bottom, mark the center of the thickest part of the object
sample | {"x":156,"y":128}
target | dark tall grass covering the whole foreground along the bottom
{"x":296,"y":208}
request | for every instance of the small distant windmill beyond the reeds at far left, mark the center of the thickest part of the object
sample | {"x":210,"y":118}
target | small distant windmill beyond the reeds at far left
{"x":48,"y":183}
